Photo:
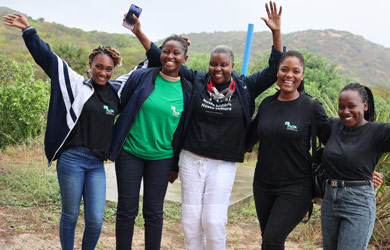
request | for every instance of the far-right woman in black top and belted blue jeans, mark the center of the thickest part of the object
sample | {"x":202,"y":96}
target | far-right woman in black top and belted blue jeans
{"x":355,"y":146}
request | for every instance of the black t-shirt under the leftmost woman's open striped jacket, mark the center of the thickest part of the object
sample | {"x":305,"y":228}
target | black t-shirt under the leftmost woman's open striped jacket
{"x":93,"y":129}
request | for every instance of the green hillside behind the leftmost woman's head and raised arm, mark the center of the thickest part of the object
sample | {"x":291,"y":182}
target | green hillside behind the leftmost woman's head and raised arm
{"x":12,"y":44}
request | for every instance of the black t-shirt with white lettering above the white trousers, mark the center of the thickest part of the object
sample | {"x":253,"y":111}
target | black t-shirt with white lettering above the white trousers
{"x":217,"y":129}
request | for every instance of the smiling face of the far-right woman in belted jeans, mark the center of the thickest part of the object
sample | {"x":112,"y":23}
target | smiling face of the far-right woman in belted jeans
{"x":351,"y":109}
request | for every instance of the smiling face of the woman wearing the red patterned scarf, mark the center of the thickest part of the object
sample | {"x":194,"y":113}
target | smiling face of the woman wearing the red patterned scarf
{"x":220,"y":68}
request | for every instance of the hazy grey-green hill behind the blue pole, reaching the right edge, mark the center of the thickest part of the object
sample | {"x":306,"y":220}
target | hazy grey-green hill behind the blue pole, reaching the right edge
{"x":357,"y":57}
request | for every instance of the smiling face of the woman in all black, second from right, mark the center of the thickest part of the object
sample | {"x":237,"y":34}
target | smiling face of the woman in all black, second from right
{"x":290,"y":75}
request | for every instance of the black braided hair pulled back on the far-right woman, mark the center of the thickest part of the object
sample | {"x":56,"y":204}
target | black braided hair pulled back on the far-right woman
{"x":367,"y":96}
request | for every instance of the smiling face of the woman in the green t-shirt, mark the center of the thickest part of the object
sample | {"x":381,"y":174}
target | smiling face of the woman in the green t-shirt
{"x":172,"y":57}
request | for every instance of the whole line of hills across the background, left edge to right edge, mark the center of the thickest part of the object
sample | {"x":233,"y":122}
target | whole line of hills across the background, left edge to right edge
{"x":357,"y":57}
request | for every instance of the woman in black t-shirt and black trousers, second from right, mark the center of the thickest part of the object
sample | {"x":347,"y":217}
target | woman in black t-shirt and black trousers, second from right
{"x":282,"y":182}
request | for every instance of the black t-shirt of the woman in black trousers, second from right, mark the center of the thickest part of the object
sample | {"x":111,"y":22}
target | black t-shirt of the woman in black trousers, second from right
{"x":284,"y":131}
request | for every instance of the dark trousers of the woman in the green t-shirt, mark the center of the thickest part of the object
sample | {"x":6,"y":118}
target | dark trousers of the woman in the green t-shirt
{"x":130,"y":171}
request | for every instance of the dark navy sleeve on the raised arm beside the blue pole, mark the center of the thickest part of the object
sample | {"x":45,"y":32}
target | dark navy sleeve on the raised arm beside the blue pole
{"x":260,"y":81}
